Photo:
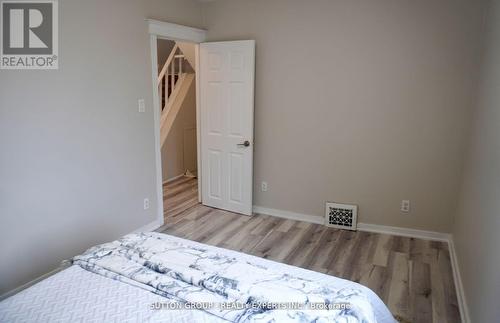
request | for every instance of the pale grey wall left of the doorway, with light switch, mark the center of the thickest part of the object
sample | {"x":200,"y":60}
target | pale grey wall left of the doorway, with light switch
{"x":76,"y":157}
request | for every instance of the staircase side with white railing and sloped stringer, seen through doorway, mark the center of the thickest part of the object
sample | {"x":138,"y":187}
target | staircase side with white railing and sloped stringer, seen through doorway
{"x":174,"y":81}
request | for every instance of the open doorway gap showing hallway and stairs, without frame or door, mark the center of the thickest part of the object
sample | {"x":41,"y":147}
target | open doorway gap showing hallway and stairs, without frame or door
{"x":178,"y":124}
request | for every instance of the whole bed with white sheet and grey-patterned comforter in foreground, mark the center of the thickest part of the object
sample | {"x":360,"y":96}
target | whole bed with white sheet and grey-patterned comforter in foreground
{"x":154,"y":277}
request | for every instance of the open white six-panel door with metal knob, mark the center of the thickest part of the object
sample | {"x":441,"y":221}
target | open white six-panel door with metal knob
{"x":227,"y":72}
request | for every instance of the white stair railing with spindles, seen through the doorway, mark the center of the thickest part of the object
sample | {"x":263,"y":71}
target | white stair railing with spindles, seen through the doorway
{"x":169,"y":75}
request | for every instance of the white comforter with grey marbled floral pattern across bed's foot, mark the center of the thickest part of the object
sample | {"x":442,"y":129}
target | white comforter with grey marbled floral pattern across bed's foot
{"x":233,"y":289}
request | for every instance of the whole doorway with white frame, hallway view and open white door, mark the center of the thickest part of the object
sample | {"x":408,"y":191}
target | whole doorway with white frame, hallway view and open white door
{"x":203,"y":115}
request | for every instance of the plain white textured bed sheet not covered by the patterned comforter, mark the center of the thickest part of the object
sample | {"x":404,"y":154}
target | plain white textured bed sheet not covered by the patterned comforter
{"x":77,"y":295}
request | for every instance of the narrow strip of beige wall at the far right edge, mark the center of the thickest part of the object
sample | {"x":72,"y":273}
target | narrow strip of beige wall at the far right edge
{"x":477,"y":224}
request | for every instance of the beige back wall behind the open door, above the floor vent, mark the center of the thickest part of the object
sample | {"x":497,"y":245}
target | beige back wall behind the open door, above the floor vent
{"x":364,"y":102}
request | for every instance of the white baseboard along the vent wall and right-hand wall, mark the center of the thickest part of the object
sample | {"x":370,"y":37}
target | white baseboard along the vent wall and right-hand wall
{"x":398,"y":231}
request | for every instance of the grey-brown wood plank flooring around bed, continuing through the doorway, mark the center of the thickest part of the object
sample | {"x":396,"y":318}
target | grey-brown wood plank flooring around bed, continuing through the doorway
{"x":412,"y":276}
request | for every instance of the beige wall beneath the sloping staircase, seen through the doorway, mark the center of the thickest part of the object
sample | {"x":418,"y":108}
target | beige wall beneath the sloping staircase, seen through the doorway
{"x":179,"y":151}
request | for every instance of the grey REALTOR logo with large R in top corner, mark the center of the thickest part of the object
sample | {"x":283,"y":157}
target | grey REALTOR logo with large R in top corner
{"x":29,"y":34}
